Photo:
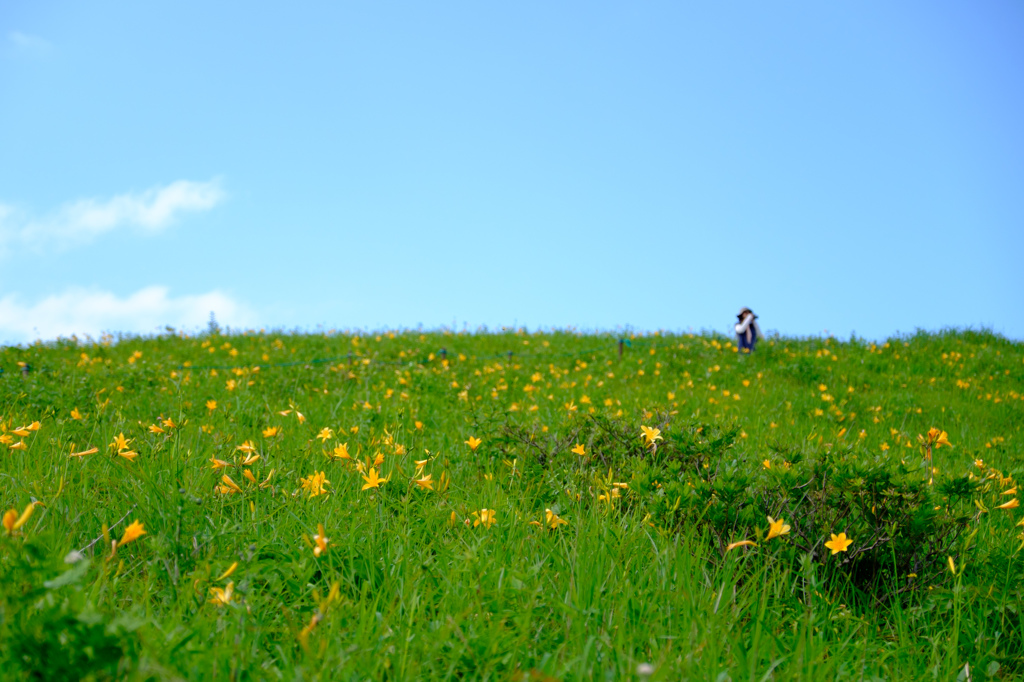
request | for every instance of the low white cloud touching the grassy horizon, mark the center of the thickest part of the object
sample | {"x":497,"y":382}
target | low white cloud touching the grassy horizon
{"x":87,"y":312}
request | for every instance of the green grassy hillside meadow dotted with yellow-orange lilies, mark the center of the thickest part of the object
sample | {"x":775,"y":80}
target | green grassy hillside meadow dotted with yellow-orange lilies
{"x":511,"y":506}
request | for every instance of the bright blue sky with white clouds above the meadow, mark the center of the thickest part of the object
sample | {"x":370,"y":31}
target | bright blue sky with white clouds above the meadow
{"x":849,"y":167}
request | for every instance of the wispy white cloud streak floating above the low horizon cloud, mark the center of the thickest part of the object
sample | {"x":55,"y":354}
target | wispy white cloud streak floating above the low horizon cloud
{"x":82,"y":222}
